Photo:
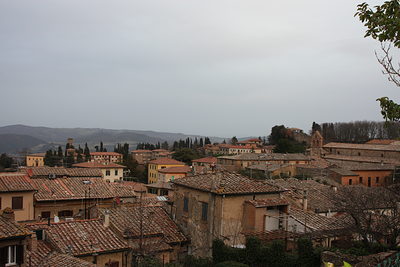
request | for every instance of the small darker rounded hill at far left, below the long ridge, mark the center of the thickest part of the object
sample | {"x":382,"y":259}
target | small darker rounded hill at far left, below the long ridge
{"x":11,"y":143}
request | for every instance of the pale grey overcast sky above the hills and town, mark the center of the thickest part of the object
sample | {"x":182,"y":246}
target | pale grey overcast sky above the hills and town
{"x":206,"y":67}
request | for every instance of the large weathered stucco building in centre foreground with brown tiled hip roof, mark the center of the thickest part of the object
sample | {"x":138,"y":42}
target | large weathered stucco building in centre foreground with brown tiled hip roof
{"x":209,"y":206}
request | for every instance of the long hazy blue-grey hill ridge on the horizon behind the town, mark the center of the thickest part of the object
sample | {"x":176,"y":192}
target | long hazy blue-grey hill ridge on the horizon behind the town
{"x":14,"y":138}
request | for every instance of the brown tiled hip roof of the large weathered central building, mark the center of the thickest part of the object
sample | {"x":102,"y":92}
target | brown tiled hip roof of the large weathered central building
{"x":226,"y":183}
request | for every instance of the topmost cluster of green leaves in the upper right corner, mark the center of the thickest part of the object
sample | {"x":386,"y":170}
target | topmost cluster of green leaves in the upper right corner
{"x":382,"y":22}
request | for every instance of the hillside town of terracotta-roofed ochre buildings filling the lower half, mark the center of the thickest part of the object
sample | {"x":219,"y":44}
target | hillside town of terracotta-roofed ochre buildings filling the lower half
{"x":201,"y":203}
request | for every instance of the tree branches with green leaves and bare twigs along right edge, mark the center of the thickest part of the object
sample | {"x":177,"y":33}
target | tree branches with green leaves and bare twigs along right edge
{"x":383,"y":24}
